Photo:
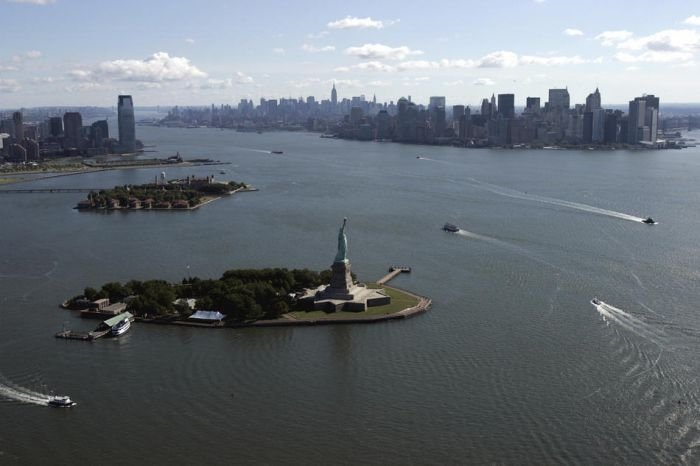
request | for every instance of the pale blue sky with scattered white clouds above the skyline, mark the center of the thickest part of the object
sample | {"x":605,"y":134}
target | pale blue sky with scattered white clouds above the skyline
{"x":182,"y":52}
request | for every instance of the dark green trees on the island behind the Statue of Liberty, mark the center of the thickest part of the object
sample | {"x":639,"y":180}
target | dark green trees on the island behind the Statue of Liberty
{"x":241,"y":295}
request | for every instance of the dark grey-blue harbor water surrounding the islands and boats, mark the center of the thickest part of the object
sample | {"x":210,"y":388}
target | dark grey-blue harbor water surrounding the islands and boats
{"x":513,"y":364}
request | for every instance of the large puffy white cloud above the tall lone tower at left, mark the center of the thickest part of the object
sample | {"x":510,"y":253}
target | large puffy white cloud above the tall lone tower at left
{"x":158,"y":67}
